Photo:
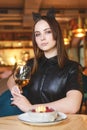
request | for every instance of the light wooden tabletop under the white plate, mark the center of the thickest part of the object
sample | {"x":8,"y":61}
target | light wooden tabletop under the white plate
{"x":73,"y":122}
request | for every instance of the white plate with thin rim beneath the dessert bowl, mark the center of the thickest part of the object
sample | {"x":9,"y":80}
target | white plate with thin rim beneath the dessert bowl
{"x":25,"y":119}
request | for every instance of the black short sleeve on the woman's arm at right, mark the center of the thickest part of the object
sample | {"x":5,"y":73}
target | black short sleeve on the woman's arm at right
{"x":75,"y":78}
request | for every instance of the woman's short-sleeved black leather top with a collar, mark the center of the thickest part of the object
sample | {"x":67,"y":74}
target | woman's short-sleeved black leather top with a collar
{"x":50,"y":83}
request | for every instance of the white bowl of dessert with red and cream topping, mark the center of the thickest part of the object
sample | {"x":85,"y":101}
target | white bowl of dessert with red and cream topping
{"x":42,"y":114}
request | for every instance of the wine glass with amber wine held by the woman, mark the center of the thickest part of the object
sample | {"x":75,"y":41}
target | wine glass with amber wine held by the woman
{"x":22,"y":74}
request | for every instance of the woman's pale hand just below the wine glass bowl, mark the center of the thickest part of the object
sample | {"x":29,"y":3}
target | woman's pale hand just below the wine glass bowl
{"x":19,"y":100}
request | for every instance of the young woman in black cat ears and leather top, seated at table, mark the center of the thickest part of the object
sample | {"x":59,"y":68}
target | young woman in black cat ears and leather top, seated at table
{"x":56,"y":81}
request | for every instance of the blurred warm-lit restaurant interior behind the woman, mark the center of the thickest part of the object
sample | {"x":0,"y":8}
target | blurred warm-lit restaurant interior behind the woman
{"x":16,"y":28}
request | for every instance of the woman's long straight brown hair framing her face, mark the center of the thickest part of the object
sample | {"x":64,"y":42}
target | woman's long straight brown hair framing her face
{"x":57,"y":35}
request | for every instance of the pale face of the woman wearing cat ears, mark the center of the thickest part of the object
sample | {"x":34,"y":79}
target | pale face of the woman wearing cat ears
{"x":44,"y":37}
